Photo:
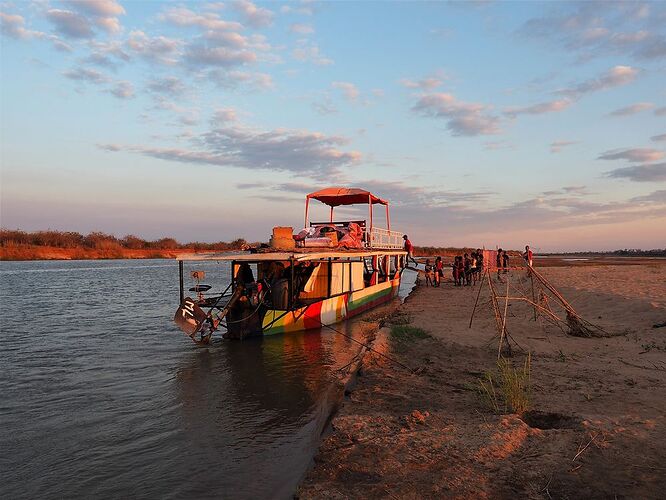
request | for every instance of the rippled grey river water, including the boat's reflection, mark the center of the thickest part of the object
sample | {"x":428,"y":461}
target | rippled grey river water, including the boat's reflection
{"x":102,"y":396}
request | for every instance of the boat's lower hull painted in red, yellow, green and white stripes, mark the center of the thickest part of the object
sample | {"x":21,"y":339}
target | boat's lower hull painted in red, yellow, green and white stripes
{"x":329,"y":311}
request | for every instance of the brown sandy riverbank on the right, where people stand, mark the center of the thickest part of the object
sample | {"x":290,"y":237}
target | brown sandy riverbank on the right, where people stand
{"x":432,"y":435}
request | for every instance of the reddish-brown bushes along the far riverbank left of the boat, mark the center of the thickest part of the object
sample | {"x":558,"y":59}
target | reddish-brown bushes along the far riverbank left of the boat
{"x":102,"y":241}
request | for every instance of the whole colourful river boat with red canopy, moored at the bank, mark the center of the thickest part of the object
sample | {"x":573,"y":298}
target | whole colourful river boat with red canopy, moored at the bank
{"x":282,"y":290}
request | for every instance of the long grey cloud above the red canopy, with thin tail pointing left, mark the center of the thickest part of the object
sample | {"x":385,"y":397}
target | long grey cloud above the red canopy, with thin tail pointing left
{"x":282,"y":150}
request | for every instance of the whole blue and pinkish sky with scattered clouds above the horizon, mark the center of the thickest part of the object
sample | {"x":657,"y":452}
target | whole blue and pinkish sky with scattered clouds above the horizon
{"x":483,"y":123}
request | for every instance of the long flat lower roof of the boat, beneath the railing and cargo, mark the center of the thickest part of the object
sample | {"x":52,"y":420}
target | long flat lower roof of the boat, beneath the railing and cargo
{"x":282,"y":255}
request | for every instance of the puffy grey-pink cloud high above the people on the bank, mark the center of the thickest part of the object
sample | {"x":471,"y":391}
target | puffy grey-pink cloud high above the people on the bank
{"x":462,"y":118}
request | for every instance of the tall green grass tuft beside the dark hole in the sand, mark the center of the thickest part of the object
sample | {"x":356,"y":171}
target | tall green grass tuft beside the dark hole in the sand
{"x":508,"y":389}
